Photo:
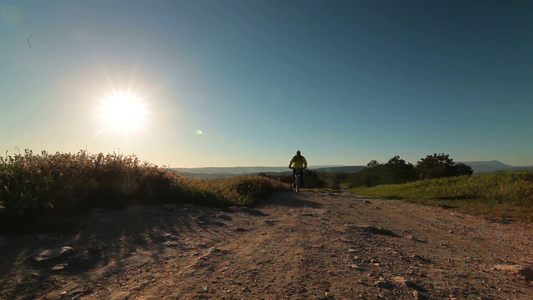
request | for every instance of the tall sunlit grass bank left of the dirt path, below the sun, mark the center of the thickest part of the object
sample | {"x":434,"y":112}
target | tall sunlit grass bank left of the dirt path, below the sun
{"x":47,"y":190}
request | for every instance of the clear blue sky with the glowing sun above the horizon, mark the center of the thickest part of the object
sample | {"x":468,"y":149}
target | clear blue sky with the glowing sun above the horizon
{"x":247,"y":83}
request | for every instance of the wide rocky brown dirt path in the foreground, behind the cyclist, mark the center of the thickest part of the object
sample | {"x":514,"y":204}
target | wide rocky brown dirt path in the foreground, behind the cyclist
{"x":306,"y":246}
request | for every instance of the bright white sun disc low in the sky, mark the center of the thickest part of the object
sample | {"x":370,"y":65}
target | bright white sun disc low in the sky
{"x":122,"y":112}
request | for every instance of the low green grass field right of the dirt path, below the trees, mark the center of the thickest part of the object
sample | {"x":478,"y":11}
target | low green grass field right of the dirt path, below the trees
{"x":500,"y":195}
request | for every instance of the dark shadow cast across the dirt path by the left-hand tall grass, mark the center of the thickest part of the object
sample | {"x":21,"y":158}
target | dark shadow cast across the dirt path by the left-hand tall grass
{"x":104,"y":241}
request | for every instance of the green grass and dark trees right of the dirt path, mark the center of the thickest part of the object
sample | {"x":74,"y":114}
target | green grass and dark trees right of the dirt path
{"x":438,"y":181}
